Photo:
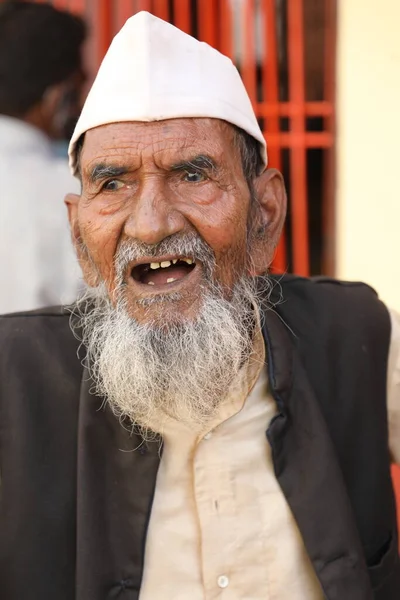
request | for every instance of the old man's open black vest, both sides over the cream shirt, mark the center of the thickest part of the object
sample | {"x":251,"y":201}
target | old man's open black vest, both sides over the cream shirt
{"x":74,"y":508}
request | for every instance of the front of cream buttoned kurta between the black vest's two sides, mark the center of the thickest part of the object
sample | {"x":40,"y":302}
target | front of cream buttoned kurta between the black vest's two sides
{"x":220,"y":525}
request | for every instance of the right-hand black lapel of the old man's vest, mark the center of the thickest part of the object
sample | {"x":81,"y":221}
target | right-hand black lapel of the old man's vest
{"x":308,"y":472}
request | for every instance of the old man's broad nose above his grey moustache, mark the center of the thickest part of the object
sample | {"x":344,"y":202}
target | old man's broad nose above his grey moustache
{"x":153,"y":217}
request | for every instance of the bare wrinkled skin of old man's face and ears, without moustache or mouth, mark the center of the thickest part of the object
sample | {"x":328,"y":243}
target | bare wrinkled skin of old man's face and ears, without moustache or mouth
{"x":137,"y":184}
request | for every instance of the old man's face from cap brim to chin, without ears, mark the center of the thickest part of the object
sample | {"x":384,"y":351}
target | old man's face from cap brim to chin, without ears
{"x":149,"y":184}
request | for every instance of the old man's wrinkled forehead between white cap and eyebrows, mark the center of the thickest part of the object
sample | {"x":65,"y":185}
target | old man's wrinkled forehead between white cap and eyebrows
{"x":174,"y":139}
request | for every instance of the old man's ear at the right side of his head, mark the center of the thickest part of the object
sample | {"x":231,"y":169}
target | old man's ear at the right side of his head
{"x":267,"y":217}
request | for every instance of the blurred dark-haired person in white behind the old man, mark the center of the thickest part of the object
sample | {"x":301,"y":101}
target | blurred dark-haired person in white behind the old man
{"x":41,"y":80}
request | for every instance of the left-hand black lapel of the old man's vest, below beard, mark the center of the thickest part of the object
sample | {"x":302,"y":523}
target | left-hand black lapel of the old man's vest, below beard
{"x":116,"y":476}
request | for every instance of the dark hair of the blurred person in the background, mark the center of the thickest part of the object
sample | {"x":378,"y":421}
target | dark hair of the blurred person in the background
{"x":40,"y":46}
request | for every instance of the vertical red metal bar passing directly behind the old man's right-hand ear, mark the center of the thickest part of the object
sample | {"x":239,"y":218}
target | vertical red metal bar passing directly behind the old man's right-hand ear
{"x":271,"y":96}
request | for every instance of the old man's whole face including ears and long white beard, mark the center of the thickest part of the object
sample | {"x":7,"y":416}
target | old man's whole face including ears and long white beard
{"x":163,"y":235}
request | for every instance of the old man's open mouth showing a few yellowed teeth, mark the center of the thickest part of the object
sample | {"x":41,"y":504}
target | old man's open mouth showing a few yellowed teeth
{"x":165,"y":272}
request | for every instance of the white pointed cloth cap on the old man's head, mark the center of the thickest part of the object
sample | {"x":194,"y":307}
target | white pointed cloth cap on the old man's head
{"x":154,"y":71}
